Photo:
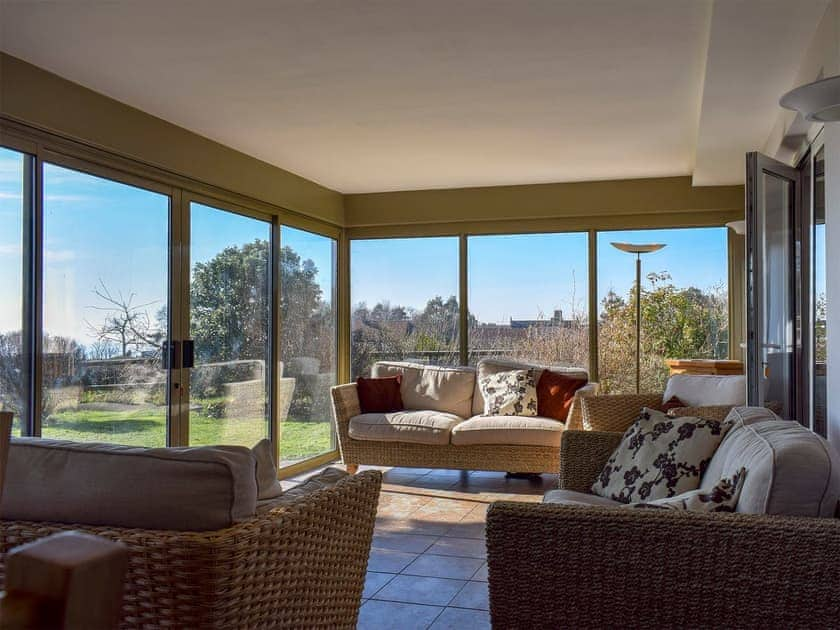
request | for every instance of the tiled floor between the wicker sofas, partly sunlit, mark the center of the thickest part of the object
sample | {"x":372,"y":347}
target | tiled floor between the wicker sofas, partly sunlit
{"x":427,"y":564}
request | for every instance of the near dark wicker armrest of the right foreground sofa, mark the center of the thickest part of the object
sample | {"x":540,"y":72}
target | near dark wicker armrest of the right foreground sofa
{"x":554,"y":566}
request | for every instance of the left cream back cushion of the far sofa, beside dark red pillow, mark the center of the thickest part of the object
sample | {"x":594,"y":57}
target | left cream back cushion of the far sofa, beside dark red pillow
{"x":432,"y":387}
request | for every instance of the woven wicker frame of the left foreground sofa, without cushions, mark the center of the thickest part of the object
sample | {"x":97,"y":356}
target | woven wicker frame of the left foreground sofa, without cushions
{"x":299,"y":565}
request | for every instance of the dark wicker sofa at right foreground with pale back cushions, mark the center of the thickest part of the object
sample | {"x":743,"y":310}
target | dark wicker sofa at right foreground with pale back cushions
{"x":579,"y":563}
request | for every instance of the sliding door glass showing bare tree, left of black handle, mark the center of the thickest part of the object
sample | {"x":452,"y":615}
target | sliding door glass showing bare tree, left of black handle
{"x":106,"y":252}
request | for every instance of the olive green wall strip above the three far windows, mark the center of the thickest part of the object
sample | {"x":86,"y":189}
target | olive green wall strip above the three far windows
{"x":658,"y":202}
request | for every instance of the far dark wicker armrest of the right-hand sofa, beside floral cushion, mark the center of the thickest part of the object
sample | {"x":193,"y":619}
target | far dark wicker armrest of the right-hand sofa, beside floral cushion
{"x":582,"y":457}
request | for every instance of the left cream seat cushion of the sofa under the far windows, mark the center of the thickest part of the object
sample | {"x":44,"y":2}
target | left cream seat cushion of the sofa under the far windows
{"x":417,"y":427}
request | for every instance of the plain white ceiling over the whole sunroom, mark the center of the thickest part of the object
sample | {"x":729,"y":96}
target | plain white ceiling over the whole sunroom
{"x":368,"y":95}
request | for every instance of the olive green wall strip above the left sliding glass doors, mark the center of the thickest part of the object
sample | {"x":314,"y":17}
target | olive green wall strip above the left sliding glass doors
{"x":48,"y":102}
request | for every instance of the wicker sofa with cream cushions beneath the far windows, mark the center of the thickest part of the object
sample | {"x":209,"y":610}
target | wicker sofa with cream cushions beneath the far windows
{"x":444,"y":427}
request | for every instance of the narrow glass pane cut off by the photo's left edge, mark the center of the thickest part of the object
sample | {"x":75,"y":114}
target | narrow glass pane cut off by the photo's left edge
{"x":13,"y":390}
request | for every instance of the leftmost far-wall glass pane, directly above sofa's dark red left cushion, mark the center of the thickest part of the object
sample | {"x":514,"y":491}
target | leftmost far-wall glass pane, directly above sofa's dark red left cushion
{"x":405,"y":305}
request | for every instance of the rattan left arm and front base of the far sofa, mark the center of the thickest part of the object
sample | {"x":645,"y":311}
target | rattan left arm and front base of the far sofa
{"x":512,"y":458}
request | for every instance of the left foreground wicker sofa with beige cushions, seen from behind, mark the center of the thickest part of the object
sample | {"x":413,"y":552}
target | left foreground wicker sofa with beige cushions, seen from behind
{"x":290,"y":561}
